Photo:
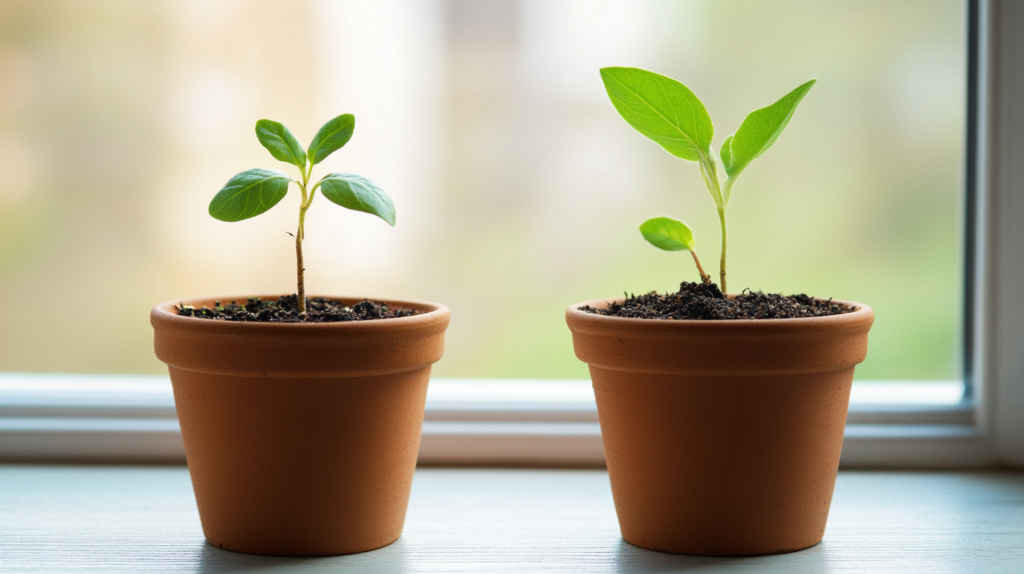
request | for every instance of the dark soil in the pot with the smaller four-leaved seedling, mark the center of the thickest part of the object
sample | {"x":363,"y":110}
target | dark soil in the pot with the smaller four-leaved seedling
{"x":285,"y":311}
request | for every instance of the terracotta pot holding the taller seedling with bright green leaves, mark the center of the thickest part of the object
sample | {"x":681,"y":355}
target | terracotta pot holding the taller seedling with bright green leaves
{"x":722,"y":438}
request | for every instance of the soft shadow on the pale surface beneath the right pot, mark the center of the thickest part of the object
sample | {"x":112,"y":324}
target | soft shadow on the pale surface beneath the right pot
{"x":634,"y":560}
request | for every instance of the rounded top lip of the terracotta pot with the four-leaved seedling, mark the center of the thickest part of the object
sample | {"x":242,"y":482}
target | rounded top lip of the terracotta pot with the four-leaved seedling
{"x":433,"y":313}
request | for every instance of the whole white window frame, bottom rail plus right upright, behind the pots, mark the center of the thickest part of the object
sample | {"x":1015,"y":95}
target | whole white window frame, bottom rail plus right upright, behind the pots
{"x":125,"y":419}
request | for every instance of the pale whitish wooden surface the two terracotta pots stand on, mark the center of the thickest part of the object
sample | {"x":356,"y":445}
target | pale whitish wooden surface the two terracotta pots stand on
{"x":143,"y":519}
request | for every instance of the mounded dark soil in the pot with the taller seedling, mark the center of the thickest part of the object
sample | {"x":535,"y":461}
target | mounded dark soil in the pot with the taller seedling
{"x":701,"y":302}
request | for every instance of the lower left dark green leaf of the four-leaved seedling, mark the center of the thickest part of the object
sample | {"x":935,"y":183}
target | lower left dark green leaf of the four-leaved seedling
{"x":249,"y":194}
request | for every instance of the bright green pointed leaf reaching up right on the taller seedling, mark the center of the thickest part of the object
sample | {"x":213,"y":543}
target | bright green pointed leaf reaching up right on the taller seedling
{"x":760,"y":130}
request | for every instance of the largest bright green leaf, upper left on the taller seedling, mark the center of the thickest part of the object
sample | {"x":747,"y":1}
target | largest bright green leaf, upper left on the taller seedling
{"x":661,"y":109}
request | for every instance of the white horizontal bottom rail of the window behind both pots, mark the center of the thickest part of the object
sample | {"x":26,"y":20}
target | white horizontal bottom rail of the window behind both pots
{"x":132,"y":419}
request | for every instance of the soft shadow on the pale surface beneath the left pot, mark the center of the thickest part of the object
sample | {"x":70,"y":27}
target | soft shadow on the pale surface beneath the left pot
{"x":214,"y":560}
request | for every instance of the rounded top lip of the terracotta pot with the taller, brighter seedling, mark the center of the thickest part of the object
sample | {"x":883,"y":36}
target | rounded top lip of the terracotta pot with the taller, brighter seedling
{"x":605,"y":323}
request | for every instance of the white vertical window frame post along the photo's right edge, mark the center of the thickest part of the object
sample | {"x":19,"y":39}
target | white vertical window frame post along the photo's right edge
{"x":1004,"y":272}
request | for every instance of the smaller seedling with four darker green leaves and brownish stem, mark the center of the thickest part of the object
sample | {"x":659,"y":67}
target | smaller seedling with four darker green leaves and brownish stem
{"x":254,"y":192}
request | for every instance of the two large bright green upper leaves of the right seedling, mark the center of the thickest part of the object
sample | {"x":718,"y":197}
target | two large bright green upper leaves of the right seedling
{"x":674,"y":117}
